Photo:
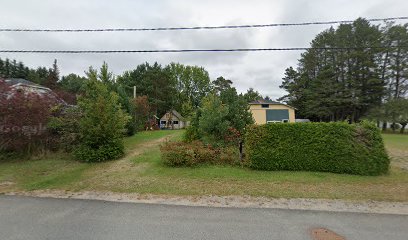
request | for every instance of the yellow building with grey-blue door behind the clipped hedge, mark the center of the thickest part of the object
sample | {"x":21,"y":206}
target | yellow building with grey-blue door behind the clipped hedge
{"x":266,"y":111}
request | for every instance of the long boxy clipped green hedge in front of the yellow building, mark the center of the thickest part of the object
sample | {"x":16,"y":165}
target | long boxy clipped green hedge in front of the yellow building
{"x":328,"y":147}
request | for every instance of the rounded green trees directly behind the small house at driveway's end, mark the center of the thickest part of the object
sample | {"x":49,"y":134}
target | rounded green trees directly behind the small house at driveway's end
{"x":174,"y":86}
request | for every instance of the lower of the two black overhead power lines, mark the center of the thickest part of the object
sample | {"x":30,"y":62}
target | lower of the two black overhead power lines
{"x":194,"y":50}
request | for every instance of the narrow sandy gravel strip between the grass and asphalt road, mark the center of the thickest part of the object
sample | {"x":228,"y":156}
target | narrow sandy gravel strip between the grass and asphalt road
{"x":400,"y":208}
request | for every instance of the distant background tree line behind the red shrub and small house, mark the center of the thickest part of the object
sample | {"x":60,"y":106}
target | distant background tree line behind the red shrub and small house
{"x":174,"y":86}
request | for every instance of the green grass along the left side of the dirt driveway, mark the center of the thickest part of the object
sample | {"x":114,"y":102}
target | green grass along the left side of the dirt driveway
{"x":59,"y":170}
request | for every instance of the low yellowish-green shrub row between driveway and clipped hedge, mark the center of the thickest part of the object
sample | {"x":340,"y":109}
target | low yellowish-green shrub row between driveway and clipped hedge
{"x":182,"y":154}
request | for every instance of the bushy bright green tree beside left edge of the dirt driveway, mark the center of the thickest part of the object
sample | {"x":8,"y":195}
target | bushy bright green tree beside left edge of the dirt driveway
{"x":102,"y":125}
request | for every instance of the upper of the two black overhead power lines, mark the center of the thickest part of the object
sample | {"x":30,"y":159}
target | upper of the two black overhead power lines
{"x":198,"y":27}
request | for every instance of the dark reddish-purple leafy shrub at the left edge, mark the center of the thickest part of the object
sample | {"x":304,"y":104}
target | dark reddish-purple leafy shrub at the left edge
{"x":23,"y":119}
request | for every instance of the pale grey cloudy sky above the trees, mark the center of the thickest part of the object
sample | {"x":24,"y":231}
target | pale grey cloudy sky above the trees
{"x":260,"y":70}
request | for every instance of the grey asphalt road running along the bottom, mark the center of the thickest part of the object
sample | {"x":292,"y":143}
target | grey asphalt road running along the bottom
{"x":43,"y":218}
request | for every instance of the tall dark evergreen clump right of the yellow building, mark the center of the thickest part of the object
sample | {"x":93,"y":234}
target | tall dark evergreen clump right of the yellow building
{"x":364,"y":68}
